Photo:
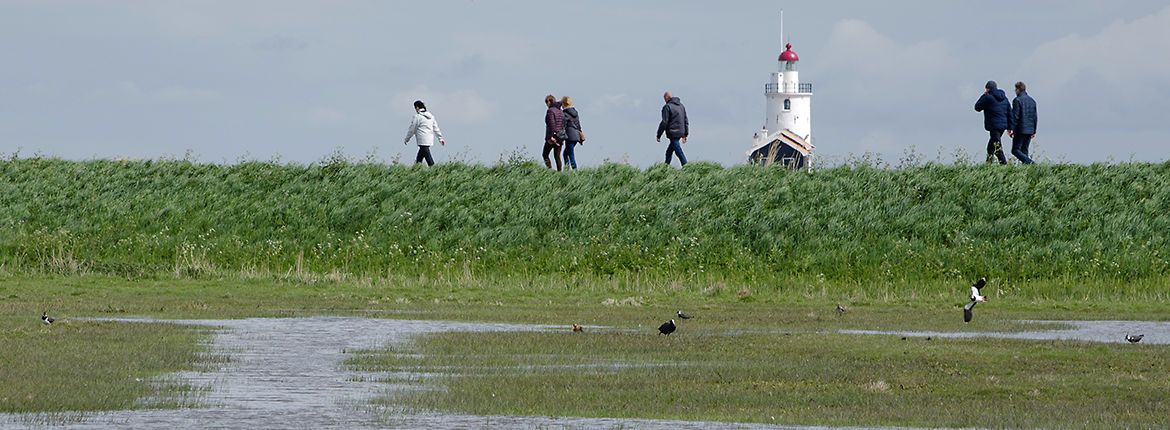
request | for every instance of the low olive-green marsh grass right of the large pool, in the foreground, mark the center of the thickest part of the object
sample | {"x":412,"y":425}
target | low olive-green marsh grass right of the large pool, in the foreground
{"x":792,"y":373}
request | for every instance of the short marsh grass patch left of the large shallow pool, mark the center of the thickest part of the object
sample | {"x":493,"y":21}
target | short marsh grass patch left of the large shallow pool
{"x":82,"y":366}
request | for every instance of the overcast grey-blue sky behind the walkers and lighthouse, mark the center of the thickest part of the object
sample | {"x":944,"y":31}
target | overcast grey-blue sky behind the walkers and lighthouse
{"x":228,"y":81}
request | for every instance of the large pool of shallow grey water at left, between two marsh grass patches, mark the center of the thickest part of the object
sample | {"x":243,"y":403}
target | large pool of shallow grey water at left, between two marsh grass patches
{"x":281,"y":373}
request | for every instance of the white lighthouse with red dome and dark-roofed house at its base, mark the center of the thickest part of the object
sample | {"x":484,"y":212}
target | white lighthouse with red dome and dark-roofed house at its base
{"x":787,"y":136}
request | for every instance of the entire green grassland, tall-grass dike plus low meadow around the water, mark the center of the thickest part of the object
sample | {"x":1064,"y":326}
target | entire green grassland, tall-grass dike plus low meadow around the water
{"x":761,"y":255}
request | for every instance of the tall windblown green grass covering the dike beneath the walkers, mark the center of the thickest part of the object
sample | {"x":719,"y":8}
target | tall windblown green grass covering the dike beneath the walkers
{"x":854,"y":224}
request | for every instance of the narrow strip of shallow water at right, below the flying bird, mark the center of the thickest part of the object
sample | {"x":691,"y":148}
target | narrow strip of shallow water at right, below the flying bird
{"x":1113,"y":332}
